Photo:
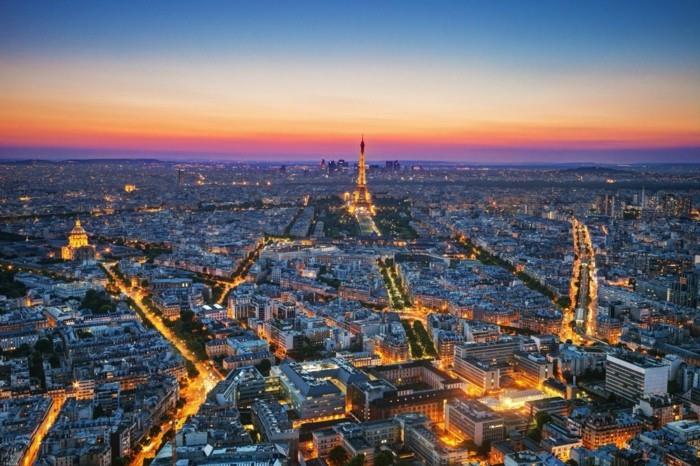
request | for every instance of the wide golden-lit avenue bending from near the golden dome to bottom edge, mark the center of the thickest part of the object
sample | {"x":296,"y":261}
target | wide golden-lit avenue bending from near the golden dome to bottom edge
{"x":195,"y":392}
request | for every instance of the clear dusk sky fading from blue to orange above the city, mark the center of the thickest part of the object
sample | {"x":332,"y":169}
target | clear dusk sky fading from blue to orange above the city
{"x":484,"y":82}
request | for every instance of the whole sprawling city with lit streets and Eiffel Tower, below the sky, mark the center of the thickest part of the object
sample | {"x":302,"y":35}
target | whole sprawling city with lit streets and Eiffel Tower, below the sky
{"x":154,"y":312}
